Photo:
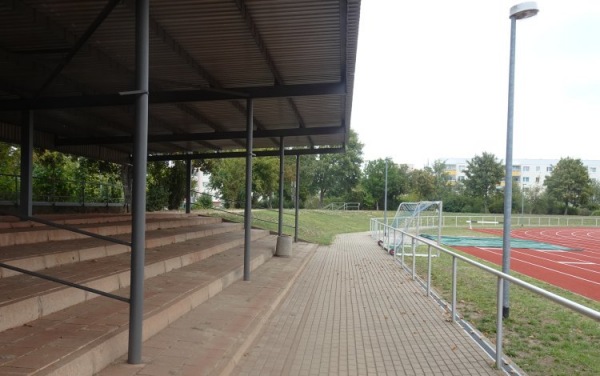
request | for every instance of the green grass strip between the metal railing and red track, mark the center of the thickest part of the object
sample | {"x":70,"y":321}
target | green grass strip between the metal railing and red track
{"x":541,"y":337}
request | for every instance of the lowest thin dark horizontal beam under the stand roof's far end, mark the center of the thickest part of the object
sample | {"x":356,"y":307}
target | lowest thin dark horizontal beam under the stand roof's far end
{"x":242,"y":154}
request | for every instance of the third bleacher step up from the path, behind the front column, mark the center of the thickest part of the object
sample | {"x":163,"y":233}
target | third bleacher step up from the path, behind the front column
{"x":25,"y":298}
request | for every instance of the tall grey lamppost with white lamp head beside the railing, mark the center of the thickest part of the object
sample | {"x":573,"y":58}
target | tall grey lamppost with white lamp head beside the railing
{"x":517,"y":12}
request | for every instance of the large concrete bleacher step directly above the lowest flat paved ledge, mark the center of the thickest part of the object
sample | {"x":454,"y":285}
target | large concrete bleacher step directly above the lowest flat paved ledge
{"x":86,"y":337}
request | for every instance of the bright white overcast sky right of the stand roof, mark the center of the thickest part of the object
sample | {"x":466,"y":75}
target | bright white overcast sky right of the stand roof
{"x":431,"y":80}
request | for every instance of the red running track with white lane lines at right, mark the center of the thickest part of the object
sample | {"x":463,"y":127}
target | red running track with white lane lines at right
{"x":577,"y":271}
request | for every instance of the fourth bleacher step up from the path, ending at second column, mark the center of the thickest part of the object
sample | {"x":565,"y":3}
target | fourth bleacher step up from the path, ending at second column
{"x":40,"y":256}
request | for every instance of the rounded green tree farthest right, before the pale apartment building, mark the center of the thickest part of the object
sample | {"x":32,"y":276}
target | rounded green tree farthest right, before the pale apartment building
{"x":569,"y":183}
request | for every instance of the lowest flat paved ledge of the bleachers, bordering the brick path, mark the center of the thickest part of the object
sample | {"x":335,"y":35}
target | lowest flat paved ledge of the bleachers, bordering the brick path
{"x":212,"y":338}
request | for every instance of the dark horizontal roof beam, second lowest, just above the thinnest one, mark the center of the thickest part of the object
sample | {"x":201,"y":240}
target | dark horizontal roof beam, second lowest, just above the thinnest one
{"x":213,"y":136}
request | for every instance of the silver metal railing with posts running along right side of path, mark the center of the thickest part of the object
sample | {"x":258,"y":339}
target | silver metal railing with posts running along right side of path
{"x":383,"y":232}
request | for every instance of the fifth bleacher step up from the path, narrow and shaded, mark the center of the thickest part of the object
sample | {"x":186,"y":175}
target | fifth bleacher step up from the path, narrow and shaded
{"x":41,"y":234}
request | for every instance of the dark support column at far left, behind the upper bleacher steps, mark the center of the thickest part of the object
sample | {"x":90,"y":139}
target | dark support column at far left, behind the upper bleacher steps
{"x":25,"y":202}
